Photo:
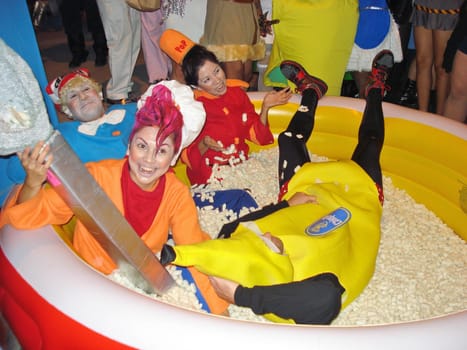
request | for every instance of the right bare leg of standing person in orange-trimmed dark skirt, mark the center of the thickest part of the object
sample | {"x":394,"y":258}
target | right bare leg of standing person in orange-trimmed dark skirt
{"x":440,"y":39}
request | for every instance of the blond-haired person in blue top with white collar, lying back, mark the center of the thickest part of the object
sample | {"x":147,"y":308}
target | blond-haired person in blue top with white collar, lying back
{"x":93,"y":132}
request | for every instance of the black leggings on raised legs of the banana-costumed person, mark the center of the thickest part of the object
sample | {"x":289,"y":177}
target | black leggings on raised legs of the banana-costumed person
{"x":293,"y":152}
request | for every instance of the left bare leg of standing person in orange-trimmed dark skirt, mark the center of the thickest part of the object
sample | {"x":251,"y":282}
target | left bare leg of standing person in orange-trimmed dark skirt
{"x":424,"y":61}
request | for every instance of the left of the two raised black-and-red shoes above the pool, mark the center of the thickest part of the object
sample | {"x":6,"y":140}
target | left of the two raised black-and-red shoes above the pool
{"x":294,"y":72}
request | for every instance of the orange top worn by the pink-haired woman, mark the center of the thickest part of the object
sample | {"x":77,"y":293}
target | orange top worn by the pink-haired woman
{"x":177,"y":213}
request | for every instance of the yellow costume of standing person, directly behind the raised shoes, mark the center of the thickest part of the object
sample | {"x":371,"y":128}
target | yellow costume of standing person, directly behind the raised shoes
{"x":317,"y":33}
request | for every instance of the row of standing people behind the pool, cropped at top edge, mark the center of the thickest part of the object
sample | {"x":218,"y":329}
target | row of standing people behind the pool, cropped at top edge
{"x":421,"y":33}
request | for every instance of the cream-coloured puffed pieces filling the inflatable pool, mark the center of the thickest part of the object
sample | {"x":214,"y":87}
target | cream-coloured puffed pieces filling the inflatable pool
{"x":420,"y":270}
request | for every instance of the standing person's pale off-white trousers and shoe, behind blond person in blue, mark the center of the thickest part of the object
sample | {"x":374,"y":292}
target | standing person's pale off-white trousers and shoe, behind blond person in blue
{"x":122,"y":25}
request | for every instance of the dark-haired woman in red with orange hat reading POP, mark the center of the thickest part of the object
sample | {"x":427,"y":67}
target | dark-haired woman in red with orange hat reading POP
{"x":231,"y":119}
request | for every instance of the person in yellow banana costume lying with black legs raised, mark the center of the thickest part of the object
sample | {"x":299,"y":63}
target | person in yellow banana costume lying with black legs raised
{"x":302,"y":259}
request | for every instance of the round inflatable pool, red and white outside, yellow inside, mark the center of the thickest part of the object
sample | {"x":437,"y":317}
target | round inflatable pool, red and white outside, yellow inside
{"x":51,"y":299}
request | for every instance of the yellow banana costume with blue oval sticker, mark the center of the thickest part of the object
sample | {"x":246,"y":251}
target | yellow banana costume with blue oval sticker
{"x":340,"y":234}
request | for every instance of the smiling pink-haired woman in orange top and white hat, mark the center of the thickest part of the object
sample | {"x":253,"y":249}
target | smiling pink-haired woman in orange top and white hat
{"x":142,"y":185}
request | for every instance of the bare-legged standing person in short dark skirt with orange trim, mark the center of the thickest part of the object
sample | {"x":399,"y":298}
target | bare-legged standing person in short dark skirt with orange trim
{"x":433,"y":21}
